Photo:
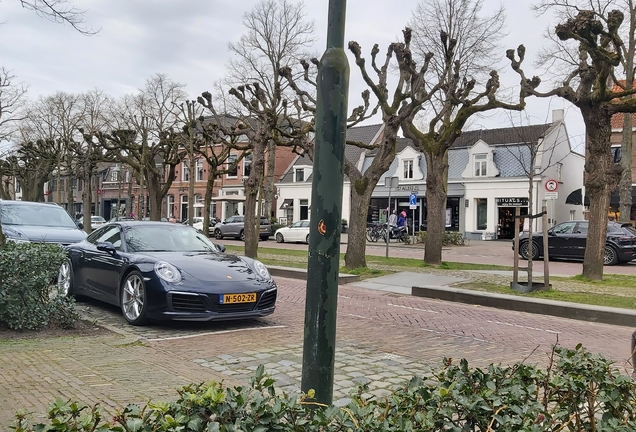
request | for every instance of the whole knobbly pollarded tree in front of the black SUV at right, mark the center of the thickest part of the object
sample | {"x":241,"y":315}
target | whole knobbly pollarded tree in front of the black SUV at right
{"x":588,"y":87}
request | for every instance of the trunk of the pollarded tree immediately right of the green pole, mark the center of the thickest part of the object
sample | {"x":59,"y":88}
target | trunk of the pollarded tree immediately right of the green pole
{"x":359,"y":198}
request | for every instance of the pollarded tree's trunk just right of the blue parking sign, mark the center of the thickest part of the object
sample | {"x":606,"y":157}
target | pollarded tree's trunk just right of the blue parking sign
{"x":436,"y":192}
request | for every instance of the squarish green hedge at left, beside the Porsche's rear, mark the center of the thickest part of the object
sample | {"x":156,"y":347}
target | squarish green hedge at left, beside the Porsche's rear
{"x":28,"y":298}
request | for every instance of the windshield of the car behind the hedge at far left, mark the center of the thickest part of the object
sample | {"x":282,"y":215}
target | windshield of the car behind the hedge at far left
{"x":47,"y":215}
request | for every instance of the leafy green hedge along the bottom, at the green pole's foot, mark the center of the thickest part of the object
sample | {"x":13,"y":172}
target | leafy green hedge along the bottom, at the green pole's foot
{"x":578,"y":391}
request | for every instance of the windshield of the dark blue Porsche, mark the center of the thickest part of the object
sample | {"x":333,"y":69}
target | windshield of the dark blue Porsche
{"x":167,"y":238}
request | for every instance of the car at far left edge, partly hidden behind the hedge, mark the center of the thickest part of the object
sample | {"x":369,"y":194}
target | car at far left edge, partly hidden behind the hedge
{"x":25,"y":221}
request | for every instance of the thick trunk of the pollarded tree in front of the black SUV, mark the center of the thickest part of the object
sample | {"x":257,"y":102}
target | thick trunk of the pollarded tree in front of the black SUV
{"x":601,"y":178}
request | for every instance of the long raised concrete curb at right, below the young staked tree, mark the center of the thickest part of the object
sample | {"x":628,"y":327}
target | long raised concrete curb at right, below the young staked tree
{"x":606,"y":315}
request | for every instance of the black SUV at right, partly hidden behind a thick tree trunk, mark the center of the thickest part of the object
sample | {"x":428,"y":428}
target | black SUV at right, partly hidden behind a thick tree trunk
{"x":568,"y":239}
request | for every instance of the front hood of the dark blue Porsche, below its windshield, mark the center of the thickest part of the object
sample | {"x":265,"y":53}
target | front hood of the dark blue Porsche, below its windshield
{"x":207,"y":267}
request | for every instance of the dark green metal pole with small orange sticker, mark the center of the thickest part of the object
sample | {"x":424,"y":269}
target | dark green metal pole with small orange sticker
{"x":319,"y":347}
